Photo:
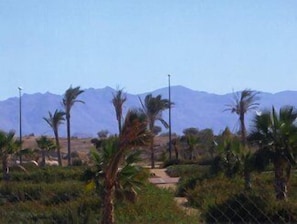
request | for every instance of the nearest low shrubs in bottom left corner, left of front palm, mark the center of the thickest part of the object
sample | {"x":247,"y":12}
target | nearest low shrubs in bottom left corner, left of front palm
{"x":81,"y":210}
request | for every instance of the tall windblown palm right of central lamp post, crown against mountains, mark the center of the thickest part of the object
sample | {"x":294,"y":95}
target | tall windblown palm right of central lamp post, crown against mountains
{"x":244,"y":101}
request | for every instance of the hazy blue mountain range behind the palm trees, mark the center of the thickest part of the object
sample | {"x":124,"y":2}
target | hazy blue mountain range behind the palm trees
{"x":191,"y":109}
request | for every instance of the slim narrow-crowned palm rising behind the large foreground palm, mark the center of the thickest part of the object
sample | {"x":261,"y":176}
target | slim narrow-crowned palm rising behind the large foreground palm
{"x":119,"y":98}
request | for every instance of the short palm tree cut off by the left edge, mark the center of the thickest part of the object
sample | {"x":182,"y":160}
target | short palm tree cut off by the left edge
{"x":8,"y":146}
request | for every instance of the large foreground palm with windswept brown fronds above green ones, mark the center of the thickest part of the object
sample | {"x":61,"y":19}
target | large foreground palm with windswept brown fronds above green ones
{"x":117,"y":152}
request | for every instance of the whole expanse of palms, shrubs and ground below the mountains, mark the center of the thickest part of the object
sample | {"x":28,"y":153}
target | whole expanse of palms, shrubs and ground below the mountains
{"x":242,"y":177}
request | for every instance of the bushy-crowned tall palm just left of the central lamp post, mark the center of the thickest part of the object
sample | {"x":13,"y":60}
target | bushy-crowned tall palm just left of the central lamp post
{"x":153,"y":108}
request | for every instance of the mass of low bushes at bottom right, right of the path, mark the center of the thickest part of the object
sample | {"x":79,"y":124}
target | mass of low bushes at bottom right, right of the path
{"x":225,"y":200}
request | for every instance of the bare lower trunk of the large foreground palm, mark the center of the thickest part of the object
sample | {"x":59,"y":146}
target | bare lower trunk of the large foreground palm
{"x":108,"y":209}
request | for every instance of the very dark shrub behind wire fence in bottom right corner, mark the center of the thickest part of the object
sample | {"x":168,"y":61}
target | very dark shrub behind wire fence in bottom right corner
{"x":249,"y":207}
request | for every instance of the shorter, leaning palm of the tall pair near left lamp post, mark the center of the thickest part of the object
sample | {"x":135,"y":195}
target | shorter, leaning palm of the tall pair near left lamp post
{"x":54,"y":121}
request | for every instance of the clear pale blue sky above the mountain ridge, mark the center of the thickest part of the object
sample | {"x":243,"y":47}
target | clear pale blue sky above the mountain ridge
{"x":217,"y":46}
